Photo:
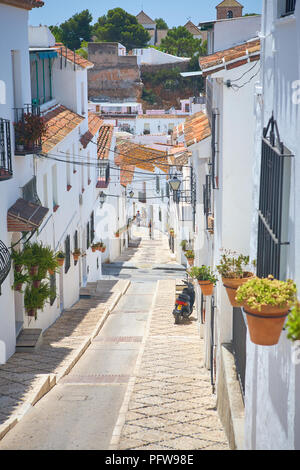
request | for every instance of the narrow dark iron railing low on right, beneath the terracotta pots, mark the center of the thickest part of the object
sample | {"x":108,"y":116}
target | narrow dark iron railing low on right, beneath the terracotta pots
{"x":239,"y":341}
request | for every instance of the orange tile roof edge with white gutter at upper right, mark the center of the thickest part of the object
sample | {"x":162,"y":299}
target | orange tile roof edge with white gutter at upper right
{"x":229,"y":58}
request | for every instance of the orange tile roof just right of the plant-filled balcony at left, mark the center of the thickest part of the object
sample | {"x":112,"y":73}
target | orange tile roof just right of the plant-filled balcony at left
{"x":60,"y":122}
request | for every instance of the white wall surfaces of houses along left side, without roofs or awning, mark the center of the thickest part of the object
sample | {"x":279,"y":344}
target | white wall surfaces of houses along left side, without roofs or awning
{"x":66,"y":178}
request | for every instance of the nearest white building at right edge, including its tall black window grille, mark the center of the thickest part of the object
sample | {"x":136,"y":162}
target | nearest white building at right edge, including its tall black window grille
{"x":272,"y":373}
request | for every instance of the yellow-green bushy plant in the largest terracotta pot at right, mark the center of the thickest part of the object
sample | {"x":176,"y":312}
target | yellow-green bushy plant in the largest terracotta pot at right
{"x":257,"y":293}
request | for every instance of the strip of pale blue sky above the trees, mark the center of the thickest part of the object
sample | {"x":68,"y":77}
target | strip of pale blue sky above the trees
{"x":174,"y":12}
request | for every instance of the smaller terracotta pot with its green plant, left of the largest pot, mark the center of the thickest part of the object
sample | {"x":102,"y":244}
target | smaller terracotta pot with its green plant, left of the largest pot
{"x":234,"y":269}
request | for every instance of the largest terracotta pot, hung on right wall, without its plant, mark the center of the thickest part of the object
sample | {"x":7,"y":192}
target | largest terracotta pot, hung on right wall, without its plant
{"x":266,"y":326}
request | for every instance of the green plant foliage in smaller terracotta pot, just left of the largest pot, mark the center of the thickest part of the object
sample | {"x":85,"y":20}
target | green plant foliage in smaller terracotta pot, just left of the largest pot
{"x":233,"y":265}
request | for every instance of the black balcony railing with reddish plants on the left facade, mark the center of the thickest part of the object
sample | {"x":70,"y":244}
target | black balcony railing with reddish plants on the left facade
{"x":28,"y":132}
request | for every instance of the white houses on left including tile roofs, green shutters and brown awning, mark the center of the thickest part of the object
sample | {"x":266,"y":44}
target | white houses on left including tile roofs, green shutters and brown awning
{"x":52,"y":196}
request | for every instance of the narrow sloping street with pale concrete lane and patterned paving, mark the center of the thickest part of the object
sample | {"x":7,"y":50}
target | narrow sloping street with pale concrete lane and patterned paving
{"x":141,"y":383}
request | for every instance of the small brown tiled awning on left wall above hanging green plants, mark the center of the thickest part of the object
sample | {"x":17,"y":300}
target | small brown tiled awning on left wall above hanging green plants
{"x":25,"y":216}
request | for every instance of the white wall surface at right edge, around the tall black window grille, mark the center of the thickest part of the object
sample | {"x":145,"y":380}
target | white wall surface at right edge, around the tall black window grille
{"x":273,"y":373}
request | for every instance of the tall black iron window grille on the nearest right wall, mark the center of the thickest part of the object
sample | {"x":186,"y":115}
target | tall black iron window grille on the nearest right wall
{"x":273,"y":202}
